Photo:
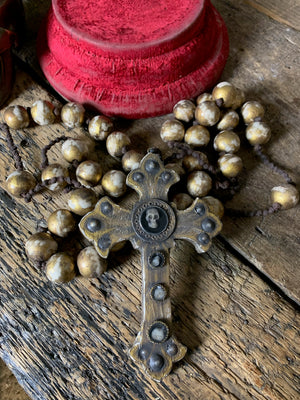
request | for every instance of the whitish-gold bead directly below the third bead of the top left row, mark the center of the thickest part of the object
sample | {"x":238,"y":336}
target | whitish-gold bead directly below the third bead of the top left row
{"x":76,"y":149}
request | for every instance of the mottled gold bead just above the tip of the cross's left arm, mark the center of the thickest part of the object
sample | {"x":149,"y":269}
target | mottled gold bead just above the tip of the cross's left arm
{"x":82,"y":201}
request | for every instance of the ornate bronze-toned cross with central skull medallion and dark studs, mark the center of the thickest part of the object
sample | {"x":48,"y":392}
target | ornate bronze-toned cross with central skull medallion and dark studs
{"x":152,"y":226}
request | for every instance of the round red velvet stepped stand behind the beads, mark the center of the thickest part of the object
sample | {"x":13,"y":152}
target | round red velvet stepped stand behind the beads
{"x":132,"y":58}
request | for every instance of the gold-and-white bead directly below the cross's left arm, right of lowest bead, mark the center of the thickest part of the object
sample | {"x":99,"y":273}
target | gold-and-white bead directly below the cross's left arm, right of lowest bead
{"x":90,"y":264}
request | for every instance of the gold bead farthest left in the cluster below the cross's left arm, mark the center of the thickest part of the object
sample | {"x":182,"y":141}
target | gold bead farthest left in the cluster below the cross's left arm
{"x":40,"y":247}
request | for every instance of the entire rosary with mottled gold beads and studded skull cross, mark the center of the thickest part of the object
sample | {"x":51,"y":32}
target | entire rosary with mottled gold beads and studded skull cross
{"x":202,"y":182}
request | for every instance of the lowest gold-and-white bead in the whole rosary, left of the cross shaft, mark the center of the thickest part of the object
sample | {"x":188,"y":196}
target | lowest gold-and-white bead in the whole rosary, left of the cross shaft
{"x":60,"y":268}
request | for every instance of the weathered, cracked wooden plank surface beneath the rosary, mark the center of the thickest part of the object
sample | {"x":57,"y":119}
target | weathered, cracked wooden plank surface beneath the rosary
{"x":235,"y":307}
